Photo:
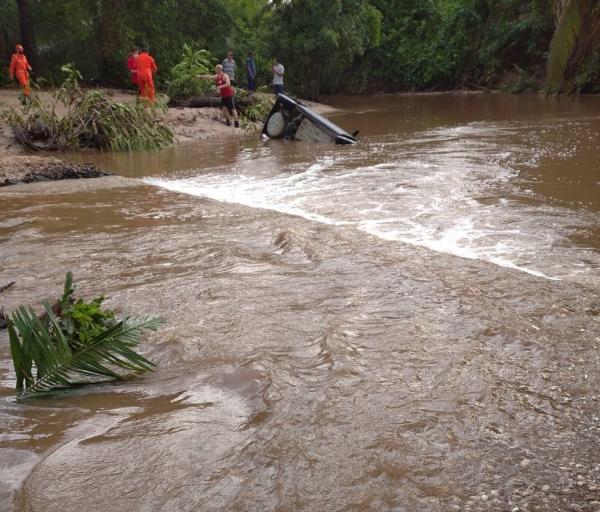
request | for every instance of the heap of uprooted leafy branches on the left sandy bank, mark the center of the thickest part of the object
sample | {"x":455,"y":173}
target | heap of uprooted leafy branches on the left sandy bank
{"x":90,"y":119}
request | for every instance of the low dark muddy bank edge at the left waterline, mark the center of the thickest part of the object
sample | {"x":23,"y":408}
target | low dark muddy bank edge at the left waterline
{"x":29,"y":169}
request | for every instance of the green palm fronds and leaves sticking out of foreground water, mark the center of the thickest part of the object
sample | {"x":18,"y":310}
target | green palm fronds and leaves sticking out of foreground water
{"x":73,"y":343}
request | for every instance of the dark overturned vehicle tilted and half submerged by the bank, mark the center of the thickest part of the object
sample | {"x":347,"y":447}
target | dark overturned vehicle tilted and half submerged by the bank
{"x":290,"y":119}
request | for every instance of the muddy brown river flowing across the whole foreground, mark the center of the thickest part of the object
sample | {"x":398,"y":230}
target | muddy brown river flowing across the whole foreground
{"x":408,"y":324}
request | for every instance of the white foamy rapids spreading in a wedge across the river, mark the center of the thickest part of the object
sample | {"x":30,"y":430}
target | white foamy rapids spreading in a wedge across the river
{"x":427,"y":198}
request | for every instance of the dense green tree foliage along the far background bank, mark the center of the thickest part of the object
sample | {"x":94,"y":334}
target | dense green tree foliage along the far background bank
{"x":327,"y":47}
